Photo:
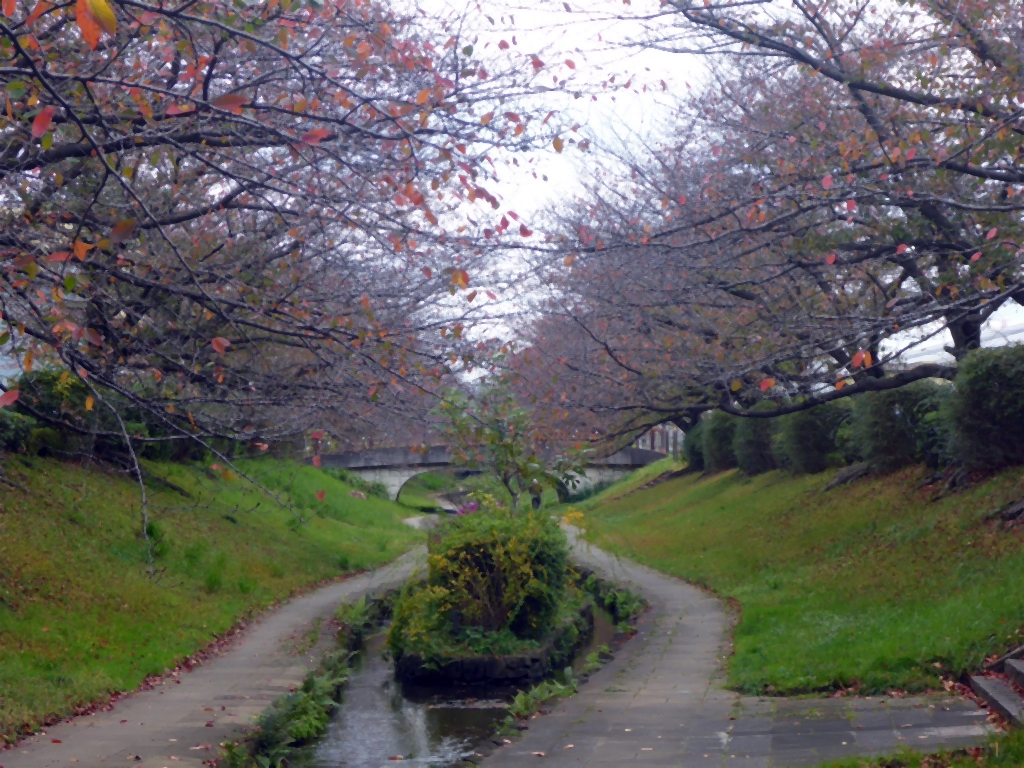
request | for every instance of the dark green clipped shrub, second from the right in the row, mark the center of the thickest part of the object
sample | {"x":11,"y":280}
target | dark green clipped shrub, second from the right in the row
{"x":902,"y":426}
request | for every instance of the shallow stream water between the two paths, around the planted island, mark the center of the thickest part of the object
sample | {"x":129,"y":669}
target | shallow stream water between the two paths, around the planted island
{"x":381,"y":720}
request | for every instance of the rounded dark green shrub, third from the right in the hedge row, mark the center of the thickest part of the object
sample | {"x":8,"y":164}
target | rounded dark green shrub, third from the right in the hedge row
{"x":806,"y":441}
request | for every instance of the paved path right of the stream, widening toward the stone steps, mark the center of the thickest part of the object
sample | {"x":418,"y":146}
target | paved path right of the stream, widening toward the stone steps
{"x":660,"y":702}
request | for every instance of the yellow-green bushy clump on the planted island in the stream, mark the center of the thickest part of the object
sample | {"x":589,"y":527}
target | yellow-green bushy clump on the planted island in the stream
{"x":495,"y":579}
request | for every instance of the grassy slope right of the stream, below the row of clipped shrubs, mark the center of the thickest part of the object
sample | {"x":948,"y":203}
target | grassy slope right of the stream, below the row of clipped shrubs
{"x":870,"y":585}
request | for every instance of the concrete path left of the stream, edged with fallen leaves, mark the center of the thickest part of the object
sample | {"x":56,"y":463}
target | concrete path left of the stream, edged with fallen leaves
{"x":182,"y":722}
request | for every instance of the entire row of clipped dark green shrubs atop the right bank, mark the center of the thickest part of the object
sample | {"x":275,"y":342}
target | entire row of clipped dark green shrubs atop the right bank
{"x":977,"y":421}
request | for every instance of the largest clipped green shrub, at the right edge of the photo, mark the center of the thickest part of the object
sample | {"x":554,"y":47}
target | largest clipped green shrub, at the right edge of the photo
{"x":987,"y":408}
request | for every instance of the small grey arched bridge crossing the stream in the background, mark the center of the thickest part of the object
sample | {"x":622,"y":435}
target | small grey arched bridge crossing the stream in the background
{"x":395,"y":467}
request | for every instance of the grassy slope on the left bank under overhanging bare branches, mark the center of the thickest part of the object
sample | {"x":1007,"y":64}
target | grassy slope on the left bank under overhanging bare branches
{"x":79,"y":617}
